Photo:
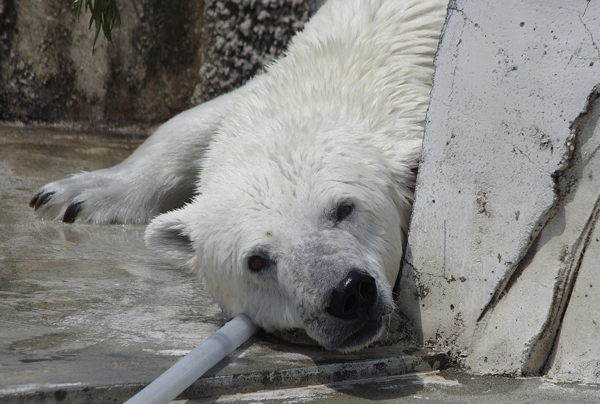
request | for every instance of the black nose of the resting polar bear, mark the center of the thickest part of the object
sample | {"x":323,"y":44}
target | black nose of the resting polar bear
{"x":353,"y":296}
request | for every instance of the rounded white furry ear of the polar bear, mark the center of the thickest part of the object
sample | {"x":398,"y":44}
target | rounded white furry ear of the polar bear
{"x":169,"y":235}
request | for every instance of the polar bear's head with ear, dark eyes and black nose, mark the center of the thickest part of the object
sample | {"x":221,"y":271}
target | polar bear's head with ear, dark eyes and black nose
{"x":300,"y":224}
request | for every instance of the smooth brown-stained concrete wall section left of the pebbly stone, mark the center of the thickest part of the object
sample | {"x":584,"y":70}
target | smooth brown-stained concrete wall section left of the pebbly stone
{"x":49,"y":73}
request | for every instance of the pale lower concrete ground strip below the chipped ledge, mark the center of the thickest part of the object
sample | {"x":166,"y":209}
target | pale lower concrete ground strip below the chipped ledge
{"x":446,"y":387}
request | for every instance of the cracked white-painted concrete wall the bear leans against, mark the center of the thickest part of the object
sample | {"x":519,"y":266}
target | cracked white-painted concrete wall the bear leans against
{"x":502,"y":237}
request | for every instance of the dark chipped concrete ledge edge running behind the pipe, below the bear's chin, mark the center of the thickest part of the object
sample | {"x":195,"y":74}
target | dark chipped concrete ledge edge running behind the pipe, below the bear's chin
{"x":354,"y":371}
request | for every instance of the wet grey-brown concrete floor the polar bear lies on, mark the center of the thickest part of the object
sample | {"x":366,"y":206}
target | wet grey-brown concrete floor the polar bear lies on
{"x":88,"y":314}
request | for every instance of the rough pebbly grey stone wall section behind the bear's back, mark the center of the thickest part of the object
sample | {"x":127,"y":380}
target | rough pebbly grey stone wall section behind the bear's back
{"x":242,"y":36}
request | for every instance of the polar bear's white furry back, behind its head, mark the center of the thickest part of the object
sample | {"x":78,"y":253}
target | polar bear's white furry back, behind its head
{"x":375,"y":63}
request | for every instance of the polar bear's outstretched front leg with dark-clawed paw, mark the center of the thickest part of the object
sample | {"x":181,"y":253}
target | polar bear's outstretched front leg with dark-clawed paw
{"x":160,"y":175}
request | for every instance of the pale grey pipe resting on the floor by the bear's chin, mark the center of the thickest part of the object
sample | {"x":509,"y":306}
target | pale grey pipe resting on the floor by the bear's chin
{"x":192,"y":366}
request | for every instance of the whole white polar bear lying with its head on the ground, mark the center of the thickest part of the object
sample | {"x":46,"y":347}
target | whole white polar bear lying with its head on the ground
{"x":293,"y":194}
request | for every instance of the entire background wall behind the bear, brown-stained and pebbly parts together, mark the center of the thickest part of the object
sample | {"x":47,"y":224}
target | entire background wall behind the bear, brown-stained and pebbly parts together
{"x":168,"y":56}
